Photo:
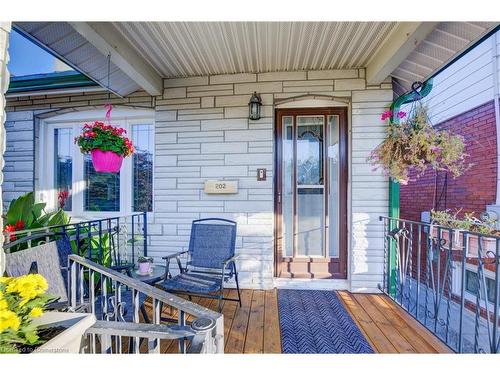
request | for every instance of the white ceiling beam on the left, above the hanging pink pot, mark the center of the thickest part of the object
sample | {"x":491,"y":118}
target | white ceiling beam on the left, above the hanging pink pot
{"x":108,"y":40}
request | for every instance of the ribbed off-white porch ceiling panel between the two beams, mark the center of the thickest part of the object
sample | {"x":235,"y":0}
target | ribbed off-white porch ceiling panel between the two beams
{"x":181,"y":49}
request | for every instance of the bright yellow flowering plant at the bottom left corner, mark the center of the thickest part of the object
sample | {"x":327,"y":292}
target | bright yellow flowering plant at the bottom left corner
{"x":21,"y":299}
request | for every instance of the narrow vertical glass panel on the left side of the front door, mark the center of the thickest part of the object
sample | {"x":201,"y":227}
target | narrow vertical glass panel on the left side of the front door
{"x":287,"y":186}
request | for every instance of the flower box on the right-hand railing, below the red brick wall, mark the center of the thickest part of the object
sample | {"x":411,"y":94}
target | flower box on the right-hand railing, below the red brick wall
{"x":469,"y":224}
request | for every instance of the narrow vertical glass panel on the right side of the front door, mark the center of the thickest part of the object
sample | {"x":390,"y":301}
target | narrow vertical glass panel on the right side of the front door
{"x":333,"y":196}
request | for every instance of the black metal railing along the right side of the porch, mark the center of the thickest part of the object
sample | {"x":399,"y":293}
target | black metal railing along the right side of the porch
{"x":447,"y":279}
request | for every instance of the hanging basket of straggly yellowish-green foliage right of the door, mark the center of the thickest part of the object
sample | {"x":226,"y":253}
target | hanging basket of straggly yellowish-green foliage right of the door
{"x":413,"y":144}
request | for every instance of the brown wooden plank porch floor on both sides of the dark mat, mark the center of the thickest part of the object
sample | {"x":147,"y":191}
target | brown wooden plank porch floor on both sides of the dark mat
{"x":254,"y":327}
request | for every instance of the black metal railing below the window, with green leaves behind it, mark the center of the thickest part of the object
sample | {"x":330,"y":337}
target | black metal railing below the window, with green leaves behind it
{"x":113,"y":241}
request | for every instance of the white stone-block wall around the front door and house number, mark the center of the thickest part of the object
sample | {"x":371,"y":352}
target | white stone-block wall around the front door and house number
{"x":214,"y":139}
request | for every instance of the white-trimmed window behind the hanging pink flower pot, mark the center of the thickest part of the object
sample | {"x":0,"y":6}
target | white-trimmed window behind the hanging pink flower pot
{"x":68,"y":178}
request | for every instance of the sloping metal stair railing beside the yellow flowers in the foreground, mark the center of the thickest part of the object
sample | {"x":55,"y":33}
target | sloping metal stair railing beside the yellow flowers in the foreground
{"x":126,"y":325}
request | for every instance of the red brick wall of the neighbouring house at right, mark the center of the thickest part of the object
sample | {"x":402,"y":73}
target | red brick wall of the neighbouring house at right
{"x":471,"y":191}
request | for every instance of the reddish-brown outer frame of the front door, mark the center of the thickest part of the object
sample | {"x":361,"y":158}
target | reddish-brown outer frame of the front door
{"x":342,"y":113}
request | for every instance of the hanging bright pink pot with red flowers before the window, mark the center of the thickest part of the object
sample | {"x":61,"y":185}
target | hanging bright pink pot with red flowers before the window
{"x":106,"y":144}
